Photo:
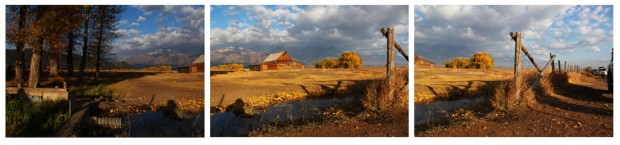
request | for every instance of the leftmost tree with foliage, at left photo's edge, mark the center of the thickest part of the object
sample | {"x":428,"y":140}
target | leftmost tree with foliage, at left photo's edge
{"x":16,"y":34}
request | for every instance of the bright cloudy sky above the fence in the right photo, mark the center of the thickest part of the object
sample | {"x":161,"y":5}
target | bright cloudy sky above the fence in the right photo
{"x":581,"y":35}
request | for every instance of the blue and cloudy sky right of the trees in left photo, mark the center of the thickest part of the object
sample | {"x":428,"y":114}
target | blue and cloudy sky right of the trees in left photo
{"x":152,"y":27}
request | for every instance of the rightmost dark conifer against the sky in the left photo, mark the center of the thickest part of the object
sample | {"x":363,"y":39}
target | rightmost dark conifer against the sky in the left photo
{"x":105,"y":18}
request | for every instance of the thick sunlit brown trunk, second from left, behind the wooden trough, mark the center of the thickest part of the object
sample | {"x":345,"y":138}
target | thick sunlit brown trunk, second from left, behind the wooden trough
{"x":34,"y":63}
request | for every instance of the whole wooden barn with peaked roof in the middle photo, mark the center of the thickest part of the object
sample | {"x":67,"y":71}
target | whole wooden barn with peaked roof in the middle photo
{"x":278,"y":61}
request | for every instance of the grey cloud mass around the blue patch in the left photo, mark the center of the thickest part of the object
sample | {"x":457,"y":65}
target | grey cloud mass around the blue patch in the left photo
{"x":186,"y":34}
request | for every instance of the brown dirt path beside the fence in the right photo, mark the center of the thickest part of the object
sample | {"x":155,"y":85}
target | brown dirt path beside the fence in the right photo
{"x":579,"y":108}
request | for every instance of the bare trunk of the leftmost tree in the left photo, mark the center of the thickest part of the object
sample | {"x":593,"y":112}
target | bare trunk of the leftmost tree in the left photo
{"x":19,"y":61}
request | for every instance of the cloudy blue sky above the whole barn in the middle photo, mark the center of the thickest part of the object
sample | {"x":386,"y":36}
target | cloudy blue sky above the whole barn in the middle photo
{"x":329,"y":28}
